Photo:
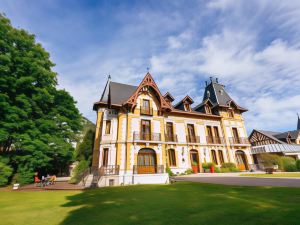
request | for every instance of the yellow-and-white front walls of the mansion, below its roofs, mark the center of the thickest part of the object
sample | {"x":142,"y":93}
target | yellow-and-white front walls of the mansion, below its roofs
{"x":122,"y":145}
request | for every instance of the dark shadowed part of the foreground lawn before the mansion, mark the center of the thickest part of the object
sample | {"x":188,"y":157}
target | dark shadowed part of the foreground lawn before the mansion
{"x":185,"y":203}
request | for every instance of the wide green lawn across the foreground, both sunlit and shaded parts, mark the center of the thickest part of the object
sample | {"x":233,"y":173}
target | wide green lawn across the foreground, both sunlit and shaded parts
{"x":179,"y":203}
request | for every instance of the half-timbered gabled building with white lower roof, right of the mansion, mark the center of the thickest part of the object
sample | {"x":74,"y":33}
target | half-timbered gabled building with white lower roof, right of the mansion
{"x":280,"y":143}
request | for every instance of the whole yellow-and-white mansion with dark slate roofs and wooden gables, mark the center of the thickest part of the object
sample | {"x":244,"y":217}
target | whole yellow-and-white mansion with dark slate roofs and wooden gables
{"x":140,"y":132}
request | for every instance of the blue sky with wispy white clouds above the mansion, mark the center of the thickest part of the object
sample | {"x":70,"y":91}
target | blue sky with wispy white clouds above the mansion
{"x":253,"y":47}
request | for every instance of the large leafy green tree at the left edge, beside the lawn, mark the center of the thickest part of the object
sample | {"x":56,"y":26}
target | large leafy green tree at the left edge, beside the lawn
{"x":38,"y":122}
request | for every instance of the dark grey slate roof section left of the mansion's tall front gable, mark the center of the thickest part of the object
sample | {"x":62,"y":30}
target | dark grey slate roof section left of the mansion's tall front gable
{"x":117,"y":93}
